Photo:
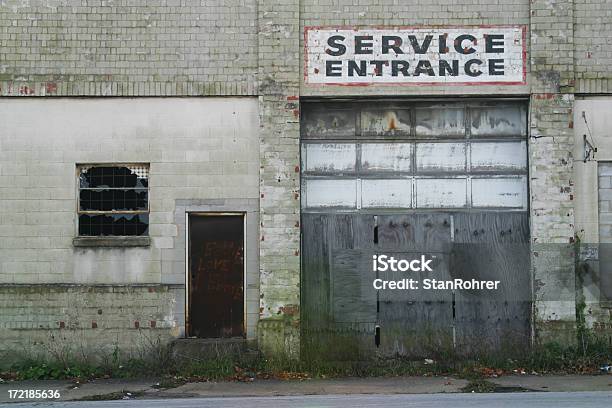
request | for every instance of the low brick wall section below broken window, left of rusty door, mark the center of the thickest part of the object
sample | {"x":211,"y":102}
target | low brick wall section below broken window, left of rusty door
{"x":68,"y":321}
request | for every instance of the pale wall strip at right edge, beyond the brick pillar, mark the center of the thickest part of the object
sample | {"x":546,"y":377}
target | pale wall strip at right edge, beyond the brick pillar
{"x":593,"y":208}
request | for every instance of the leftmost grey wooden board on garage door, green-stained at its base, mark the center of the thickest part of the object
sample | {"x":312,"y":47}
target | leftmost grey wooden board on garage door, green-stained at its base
{"x":352,"y":338}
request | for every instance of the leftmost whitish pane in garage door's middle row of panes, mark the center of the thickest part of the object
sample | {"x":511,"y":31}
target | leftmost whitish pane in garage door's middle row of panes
{"x":327,"y":157}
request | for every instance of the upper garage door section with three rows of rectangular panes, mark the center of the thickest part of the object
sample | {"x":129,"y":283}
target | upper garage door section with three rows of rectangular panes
{"x":361,"y":156}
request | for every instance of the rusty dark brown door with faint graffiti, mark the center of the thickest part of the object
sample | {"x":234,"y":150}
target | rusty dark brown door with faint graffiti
{"x":216,"y":276}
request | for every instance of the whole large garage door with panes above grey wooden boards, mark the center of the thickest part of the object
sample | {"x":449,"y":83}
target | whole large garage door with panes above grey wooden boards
{"x":448,"y":181}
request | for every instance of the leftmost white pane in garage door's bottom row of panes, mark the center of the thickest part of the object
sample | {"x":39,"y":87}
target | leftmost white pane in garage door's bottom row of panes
{"x":330,"y":193}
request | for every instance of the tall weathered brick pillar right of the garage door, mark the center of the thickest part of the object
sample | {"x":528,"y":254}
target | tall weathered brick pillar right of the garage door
{"x":551,"y":168}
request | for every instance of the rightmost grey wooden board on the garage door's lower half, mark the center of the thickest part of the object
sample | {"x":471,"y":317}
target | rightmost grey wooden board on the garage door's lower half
{"x":492,"y":246}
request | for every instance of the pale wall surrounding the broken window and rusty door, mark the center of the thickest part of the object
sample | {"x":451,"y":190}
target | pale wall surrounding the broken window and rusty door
{"x":202,"y":151}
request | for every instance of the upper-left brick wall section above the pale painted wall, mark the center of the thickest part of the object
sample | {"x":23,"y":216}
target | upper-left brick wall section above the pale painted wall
{"x":127,"y":47}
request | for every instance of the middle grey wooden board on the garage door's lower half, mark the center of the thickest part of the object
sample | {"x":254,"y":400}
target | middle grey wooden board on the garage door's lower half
{"x":415,"y":323}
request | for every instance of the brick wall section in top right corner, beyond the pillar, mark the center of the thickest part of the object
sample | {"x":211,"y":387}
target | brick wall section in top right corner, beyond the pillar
{"x":592,"y":52}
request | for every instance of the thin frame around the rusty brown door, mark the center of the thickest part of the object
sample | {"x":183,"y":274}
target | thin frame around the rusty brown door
{"x":242,"y":214}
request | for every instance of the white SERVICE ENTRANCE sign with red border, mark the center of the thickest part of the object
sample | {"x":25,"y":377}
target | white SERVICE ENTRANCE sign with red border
{"x":483,"y":55}
